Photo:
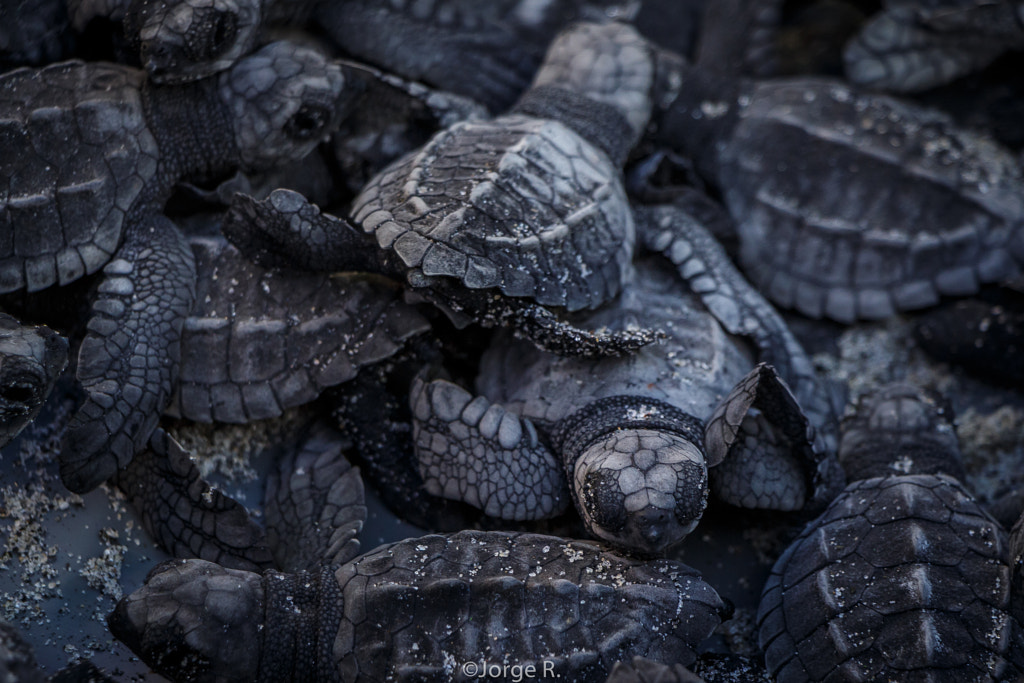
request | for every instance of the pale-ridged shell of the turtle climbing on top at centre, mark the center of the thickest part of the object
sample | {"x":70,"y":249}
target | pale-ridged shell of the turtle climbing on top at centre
{"x":520,"y":204}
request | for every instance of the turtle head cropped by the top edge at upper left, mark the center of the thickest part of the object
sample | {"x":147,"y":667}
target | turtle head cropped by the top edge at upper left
{"x":192,"y":39}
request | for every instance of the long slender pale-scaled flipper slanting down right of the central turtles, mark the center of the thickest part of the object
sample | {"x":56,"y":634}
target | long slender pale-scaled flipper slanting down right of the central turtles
{"x":740,"y":308}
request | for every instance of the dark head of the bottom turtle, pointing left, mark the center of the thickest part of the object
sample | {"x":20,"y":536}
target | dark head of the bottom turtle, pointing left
{"x":195,"y":621}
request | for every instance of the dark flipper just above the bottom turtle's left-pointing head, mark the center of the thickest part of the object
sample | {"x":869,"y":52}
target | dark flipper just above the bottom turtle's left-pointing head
{"x":185,"y":516}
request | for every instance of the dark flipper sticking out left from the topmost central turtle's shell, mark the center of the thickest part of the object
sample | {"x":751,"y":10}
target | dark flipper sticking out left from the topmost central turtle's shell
{"x":286,"y":231}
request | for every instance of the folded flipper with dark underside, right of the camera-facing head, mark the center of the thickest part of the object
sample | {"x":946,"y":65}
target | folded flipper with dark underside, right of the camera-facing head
{"x":769,"y":459}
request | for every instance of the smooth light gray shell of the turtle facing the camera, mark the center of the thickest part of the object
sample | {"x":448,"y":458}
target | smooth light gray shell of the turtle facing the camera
{"x":694,"y":368}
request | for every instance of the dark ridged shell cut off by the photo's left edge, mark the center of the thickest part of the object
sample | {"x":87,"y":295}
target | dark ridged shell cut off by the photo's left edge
{"x":75,"y":153}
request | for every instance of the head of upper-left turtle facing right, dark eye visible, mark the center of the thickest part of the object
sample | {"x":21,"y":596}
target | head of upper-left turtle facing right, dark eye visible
{"x":284,"y":100}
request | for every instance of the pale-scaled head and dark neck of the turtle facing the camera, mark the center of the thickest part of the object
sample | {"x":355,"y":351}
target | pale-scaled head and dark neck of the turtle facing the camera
{"x":638,"y":473}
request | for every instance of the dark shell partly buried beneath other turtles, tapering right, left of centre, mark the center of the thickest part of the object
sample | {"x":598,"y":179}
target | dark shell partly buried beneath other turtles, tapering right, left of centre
{"x":261,"y":341}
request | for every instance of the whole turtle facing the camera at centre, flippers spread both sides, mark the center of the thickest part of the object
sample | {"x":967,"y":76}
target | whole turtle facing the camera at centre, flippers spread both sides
{"x":626,"y":436}
